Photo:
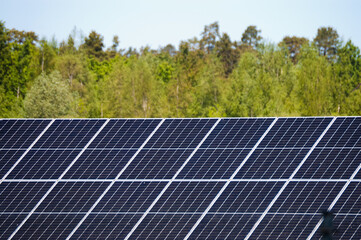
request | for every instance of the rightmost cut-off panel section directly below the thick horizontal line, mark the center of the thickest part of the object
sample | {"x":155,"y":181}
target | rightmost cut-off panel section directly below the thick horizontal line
{"x":350,"y":200}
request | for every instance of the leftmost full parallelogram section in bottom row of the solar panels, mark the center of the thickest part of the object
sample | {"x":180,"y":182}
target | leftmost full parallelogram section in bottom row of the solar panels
{"x":48,"y":226}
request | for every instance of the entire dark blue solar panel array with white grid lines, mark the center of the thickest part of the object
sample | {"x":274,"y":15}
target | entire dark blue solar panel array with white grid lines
{"x":230,"y":178}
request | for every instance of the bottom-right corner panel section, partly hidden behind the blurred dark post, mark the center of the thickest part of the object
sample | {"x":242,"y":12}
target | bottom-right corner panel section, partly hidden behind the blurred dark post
{"x":347,"y":227}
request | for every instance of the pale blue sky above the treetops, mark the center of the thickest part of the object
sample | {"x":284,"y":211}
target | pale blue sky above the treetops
{"x":157,"y":23}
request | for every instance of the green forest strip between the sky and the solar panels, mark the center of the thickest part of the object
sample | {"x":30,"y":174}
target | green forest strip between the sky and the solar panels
{"x":206,"y":76}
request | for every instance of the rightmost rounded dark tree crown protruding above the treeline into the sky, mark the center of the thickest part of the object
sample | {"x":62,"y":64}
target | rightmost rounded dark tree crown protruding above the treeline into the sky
{"x":327,"y":41}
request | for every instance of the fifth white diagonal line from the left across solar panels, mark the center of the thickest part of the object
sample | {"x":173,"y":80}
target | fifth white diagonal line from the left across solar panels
{"x":229,"y":180}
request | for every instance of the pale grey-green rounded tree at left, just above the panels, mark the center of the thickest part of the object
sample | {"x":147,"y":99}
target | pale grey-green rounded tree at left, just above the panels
{"x":49,"y":97}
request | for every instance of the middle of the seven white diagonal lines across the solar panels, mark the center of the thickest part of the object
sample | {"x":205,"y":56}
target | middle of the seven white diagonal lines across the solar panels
{"x":170,"y":182}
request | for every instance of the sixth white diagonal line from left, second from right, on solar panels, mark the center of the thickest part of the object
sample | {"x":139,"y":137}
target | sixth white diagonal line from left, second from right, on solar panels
{"x":288,"y":181}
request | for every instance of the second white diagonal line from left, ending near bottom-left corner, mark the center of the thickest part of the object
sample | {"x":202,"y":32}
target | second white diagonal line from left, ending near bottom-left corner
{"x":56,"y":182}
